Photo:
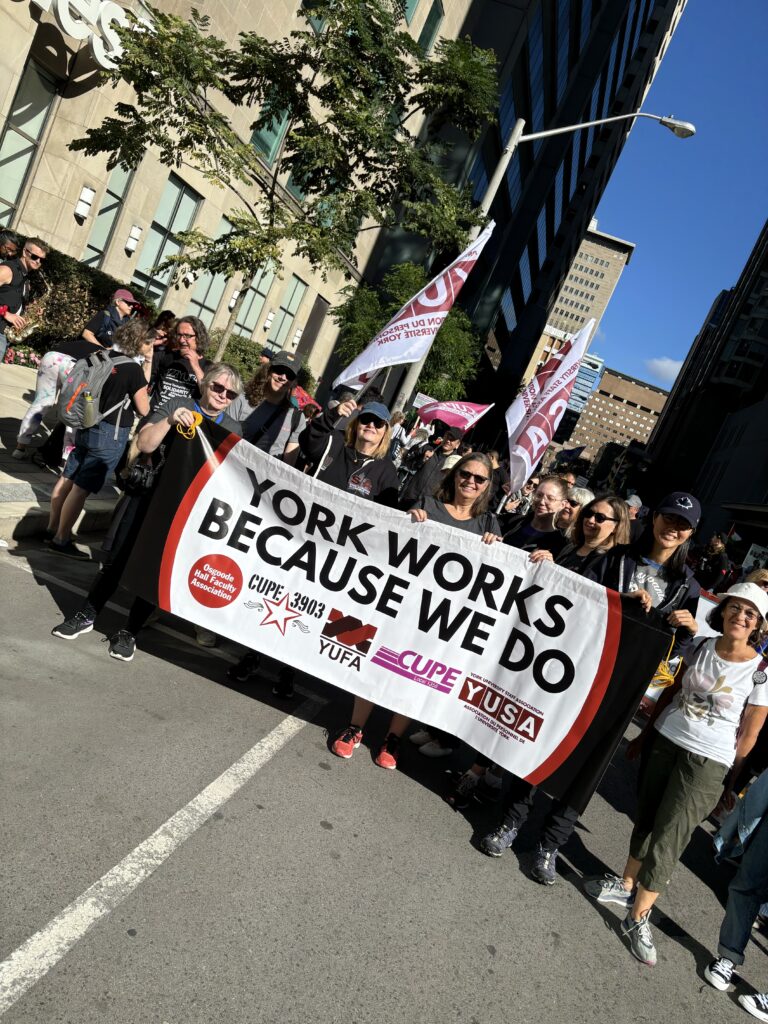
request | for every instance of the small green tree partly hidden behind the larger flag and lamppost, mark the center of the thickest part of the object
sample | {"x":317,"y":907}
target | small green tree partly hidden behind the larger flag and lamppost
{"x":453,"y":359}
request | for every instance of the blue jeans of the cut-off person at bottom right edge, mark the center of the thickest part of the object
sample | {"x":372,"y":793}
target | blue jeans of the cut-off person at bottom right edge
{"x":747,"y":892}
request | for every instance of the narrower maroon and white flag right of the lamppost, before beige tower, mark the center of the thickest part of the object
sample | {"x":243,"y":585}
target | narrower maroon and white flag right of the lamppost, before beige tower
{"x":536,"y":413}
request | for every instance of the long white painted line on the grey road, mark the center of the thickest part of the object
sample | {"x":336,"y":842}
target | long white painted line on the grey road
{"x":34,"y":959}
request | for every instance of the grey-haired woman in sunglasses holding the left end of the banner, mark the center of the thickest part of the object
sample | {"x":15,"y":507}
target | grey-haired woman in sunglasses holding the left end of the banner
{"x":219,"y":388}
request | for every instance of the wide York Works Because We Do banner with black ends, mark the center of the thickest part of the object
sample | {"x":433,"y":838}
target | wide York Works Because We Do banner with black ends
{"x":537,"y":668}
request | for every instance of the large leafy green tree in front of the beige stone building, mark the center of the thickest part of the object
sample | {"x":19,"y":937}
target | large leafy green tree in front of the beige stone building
{"x":344,"y":109}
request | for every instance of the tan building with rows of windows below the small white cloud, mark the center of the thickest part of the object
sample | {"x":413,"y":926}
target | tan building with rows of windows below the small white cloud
{"x":622,"y":410}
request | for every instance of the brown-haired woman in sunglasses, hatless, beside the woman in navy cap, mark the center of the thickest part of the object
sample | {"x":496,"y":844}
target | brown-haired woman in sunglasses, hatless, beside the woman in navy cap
{"x":605,"y":523}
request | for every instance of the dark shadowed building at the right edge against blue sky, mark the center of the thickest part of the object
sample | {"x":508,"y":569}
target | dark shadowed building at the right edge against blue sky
{"x":711,"y":439}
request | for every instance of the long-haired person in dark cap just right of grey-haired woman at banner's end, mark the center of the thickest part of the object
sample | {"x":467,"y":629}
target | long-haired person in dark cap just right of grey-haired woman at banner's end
{"x":271,"y":419}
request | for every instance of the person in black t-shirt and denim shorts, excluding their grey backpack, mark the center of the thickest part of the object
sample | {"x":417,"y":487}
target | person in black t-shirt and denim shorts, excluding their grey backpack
{"x":98,"y":450}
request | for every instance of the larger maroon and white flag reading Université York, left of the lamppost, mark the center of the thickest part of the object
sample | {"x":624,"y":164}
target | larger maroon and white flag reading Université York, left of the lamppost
{"x":409,"y":335}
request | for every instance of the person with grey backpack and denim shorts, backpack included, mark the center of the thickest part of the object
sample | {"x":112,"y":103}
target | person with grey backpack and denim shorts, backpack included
{"x":98,"y":398}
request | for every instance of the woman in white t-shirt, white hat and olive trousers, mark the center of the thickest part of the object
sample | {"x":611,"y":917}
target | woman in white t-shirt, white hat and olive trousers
{"x":695,"y":744}
